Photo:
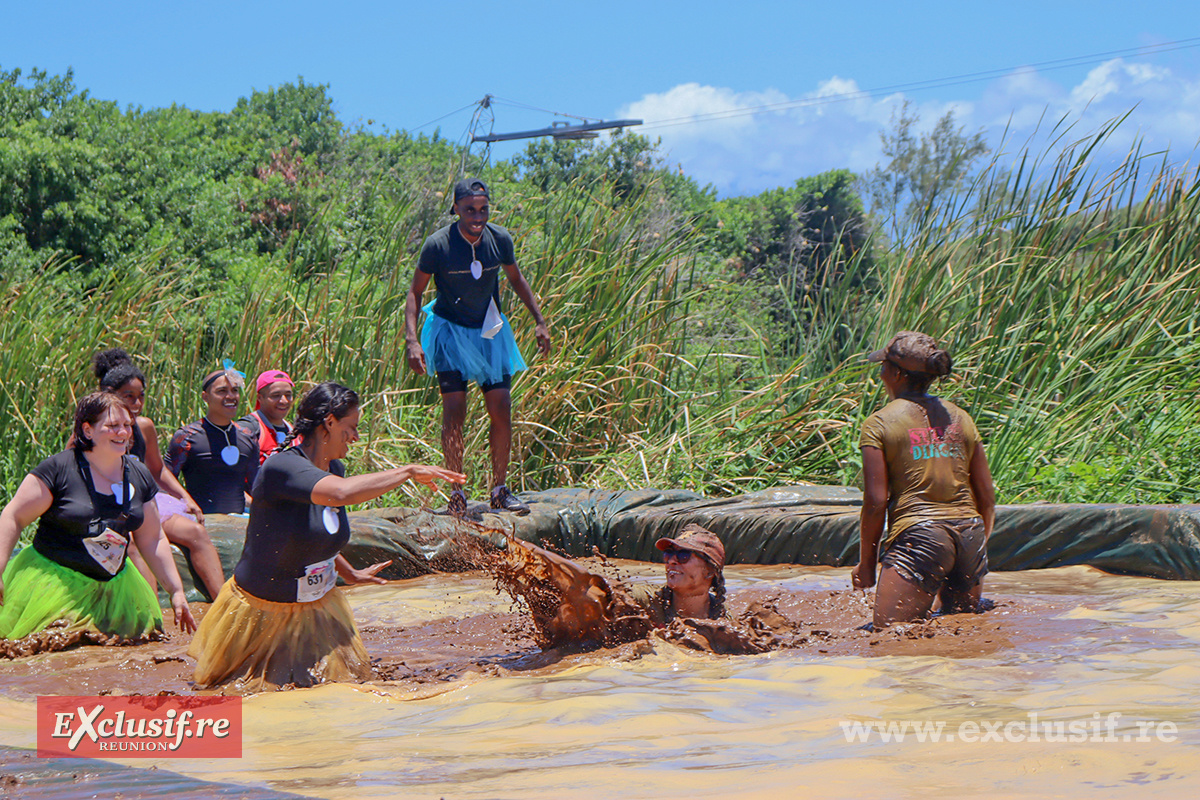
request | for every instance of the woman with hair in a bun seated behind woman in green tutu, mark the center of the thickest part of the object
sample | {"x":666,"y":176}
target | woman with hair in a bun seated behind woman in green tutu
{"x":183,"y":521}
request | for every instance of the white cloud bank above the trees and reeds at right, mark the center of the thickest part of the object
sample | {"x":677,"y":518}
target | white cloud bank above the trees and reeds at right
{"x":709,"y":133}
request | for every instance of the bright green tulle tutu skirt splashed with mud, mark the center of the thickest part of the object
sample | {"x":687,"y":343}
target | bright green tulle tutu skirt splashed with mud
{"x":41,"y":596}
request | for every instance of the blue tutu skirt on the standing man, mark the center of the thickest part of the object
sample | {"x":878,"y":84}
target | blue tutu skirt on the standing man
{"x":454,"y":348}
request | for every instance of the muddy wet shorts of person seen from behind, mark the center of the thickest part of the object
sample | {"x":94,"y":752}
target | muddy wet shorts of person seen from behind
{"x":951,"y":554}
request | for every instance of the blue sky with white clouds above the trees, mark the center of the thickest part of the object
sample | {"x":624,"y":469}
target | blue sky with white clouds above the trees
{"x":403,"y":65}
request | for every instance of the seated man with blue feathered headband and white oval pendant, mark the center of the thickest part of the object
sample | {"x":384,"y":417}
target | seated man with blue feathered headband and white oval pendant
{"x":217,"y":456}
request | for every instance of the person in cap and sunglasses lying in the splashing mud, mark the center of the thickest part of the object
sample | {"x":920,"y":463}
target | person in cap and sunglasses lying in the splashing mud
{"x":586,"y":609}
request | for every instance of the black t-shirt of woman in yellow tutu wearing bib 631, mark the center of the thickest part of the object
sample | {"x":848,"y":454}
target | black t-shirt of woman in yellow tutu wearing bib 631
{"x":289,"y":534}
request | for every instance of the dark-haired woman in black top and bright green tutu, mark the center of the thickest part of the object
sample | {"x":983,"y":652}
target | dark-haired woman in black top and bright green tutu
{"x":89,"y":501}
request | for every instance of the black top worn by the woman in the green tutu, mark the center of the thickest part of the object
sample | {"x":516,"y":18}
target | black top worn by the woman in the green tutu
{"x":80,"y":513}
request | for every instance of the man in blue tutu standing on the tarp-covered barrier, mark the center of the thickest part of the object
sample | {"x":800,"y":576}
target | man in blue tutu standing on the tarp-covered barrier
{"x":466,"y":338}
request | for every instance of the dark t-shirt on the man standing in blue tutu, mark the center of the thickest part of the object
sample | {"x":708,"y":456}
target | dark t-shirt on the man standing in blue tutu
{"x":463,"y":298}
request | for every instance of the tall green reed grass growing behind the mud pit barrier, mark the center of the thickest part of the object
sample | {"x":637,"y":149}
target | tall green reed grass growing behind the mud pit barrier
{"x":1066,"y":293}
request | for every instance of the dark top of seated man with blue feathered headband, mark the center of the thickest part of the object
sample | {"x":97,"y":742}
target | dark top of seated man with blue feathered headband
{"x":195,"y":454}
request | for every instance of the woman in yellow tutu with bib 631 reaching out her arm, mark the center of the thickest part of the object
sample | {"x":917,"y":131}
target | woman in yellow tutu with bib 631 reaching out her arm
{"x":281,"y":619}
